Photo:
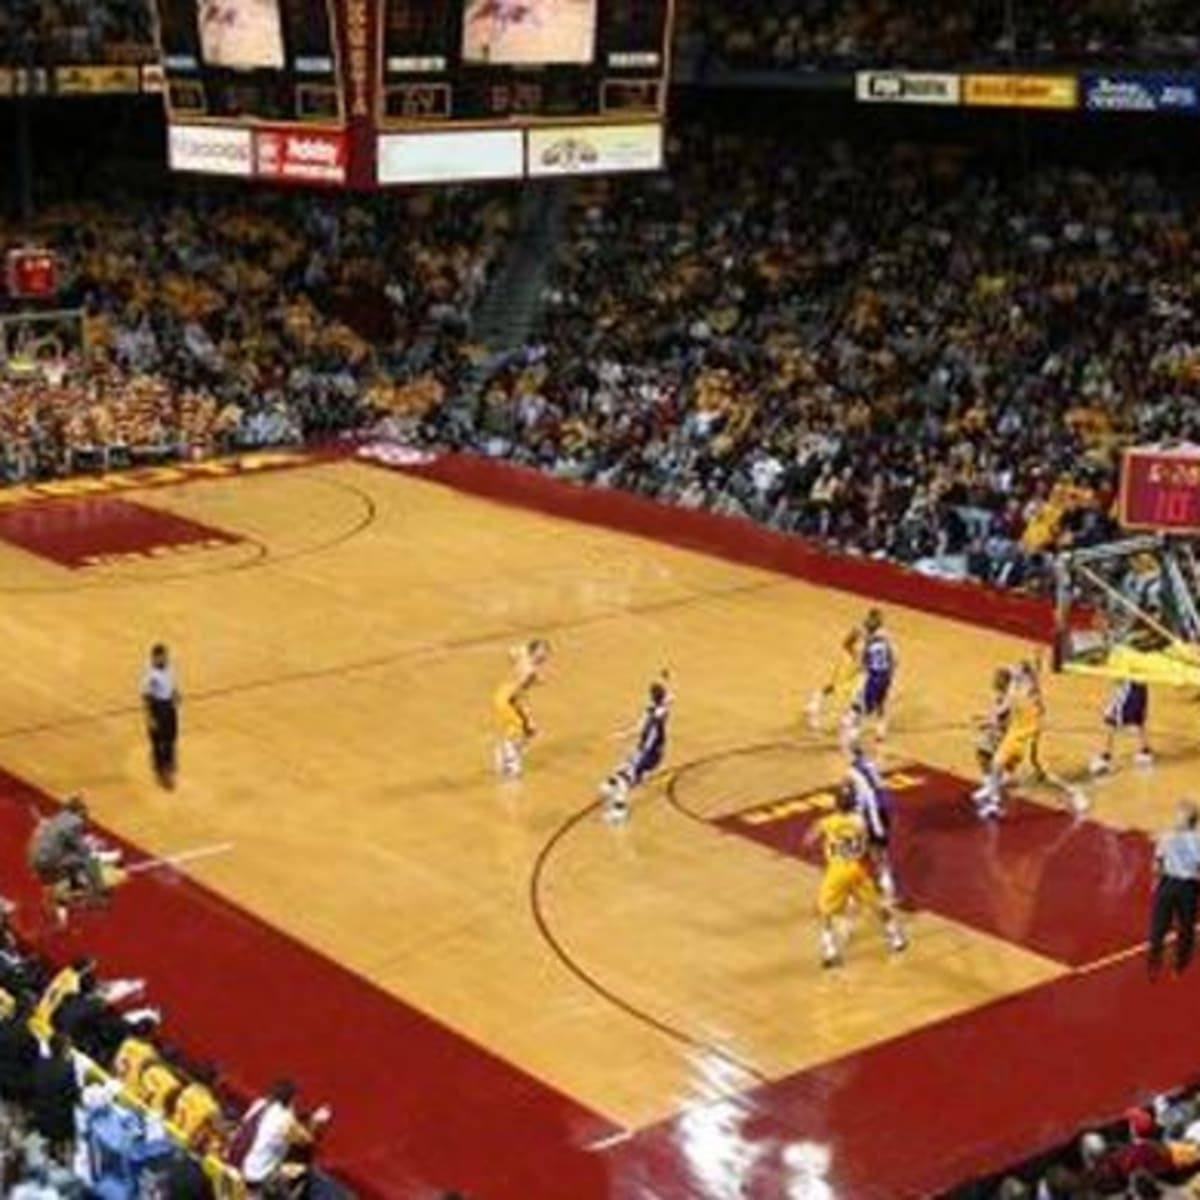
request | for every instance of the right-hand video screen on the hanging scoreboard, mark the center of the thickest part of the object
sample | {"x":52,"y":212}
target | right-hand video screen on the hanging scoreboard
{"x":530,"y":33}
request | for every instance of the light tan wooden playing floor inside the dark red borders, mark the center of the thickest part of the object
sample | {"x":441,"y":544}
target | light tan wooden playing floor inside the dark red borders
{"x":338,"y":652}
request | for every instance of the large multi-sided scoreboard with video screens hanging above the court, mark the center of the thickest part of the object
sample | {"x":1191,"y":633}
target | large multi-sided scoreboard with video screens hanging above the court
{"x":386,"y":93}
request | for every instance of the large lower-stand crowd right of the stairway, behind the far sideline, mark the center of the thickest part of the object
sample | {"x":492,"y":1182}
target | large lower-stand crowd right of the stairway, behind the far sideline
{"x":899,"y":353}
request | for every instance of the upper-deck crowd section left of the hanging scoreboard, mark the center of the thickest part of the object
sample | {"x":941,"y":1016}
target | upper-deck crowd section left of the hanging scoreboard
{"x":51,"y":33}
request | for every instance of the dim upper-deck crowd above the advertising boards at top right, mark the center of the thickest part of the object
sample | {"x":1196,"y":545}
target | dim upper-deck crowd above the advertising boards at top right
{"x":837,"y":34}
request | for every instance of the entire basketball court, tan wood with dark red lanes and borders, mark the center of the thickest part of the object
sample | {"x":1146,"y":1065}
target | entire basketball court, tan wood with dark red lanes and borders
{"x":542,"y":1005}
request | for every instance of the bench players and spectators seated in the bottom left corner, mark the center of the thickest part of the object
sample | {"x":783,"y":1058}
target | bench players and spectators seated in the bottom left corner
{"x":75,"y":1054}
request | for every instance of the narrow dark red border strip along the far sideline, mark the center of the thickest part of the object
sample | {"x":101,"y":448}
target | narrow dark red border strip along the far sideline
{"x":741,"y":541}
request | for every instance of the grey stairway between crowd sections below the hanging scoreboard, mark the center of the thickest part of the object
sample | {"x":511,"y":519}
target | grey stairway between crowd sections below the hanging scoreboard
{"x":508,"y":314}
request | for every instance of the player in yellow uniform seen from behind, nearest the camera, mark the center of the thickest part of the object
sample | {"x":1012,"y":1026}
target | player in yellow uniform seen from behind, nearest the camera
{"x":848,"y":878}
